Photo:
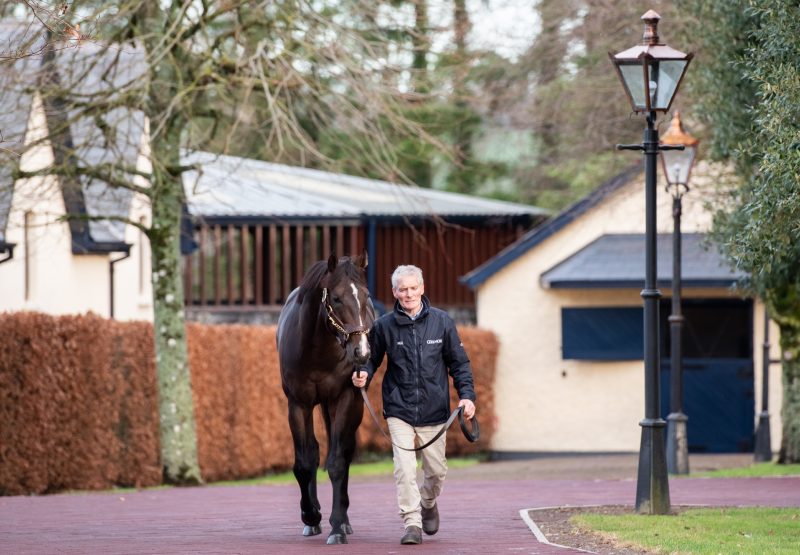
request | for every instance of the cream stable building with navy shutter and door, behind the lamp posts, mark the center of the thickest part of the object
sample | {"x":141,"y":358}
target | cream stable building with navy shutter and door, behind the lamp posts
{"x":565,"y":304}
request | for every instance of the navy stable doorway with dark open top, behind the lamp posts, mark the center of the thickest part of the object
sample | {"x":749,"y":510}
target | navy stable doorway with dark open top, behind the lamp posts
{"x":718,"y":382}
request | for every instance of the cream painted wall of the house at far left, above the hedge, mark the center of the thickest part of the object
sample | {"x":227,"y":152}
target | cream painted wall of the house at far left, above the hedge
{"x":59,"y":282}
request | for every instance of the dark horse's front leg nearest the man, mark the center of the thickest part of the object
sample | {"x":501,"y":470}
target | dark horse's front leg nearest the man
{"x":344,"y":417}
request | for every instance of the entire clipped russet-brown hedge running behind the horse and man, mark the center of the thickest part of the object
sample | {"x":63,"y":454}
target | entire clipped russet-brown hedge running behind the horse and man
{"x":79,"y":407}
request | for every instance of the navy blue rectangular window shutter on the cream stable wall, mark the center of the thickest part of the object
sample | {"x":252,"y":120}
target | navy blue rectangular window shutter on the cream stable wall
{"x":608,"y":333}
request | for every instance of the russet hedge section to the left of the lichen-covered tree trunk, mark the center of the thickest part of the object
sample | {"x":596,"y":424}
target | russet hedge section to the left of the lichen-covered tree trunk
{"x":74,"y":398}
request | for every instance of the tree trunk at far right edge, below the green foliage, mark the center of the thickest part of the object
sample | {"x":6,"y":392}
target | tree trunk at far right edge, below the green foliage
{"x":790,"y":412}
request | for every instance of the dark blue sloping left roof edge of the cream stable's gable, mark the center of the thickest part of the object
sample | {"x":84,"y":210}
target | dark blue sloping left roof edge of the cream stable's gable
{"x":538,"y":234}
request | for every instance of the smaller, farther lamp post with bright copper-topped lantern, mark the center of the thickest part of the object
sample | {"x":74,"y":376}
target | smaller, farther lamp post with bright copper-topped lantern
{"x":677,"y":165}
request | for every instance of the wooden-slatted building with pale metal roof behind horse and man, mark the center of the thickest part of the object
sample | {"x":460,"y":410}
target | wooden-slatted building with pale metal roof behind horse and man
{"x":258,"y":226}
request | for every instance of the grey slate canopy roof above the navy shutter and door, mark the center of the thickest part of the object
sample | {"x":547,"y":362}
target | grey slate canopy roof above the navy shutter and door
{"x":618,"y":261}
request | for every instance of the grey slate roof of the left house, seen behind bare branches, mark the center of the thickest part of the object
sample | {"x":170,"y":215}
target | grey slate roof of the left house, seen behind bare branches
{"x":82,"y":71}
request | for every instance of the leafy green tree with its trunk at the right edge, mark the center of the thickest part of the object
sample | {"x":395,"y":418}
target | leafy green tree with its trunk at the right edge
{"x":749,"y":96}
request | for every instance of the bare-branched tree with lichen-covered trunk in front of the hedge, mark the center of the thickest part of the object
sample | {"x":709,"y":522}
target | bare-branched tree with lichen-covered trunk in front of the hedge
{"x":185,"y":71}
